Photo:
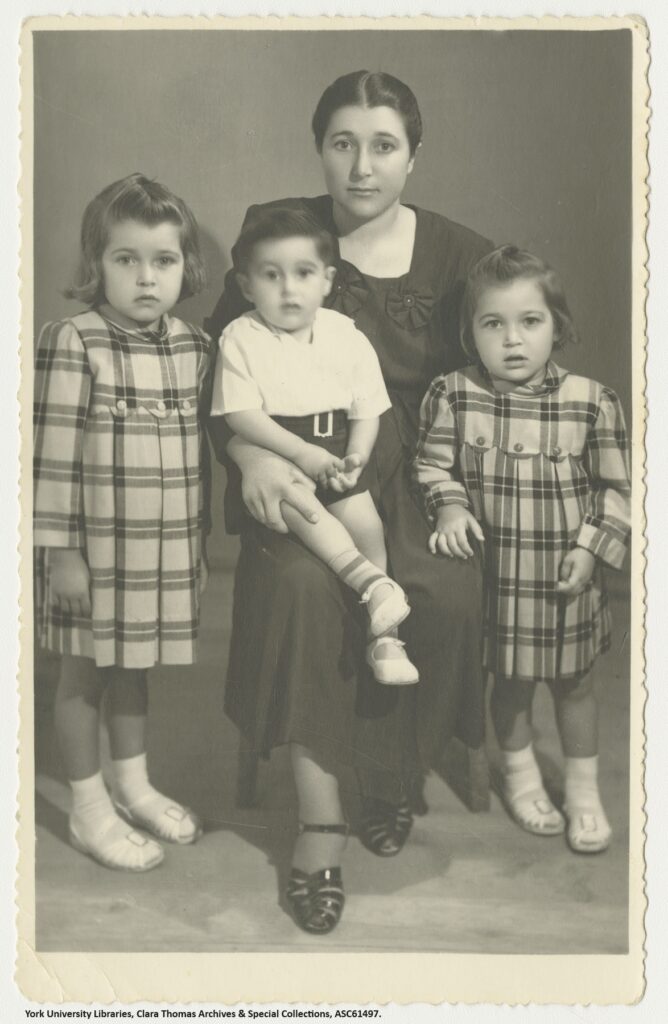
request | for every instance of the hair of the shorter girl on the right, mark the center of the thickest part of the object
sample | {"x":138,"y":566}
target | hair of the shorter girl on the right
{"x":502,"y":267}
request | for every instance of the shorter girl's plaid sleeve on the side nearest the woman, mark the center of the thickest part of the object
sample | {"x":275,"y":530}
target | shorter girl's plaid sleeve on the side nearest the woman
{"x":435,"y":467}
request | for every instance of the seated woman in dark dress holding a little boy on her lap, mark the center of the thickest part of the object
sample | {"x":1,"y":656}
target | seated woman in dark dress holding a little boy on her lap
{"x":298,"y":672}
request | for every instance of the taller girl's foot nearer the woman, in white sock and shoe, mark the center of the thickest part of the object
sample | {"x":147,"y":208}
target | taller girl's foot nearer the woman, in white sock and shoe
{"x":149,"y":808}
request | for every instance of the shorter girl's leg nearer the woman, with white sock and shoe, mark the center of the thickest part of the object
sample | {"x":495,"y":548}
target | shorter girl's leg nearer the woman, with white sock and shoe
{"x":523,"y":787}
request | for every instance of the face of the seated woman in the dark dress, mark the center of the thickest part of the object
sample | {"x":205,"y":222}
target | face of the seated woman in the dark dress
{"x":367,"y":158}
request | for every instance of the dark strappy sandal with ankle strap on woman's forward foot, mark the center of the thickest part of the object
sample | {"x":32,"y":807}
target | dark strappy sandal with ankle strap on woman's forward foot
{"x":317,"y":900}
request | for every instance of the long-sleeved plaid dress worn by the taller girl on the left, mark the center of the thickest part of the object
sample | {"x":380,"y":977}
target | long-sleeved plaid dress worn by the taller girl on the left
{"x":118,"y":476}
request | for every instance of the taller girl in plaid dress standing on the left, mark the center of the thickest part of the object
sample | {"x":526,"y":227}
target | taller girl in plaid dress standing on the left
{"x":119,"y":506}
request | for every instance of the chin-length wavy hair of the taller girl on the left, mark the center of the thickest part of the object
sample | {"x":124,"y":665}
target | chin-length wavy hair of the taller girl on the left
{"x":134,"y":198}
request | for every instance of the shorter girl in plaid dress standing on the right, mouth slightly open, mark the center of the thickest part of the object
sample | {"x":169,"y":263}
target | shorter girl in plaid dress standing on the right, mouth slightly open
{"x":532,"y":460}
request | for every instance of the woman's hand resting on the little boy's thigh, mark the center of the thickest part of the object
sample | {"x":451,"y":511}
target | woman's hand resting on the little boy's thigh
{"x":267,"y":481}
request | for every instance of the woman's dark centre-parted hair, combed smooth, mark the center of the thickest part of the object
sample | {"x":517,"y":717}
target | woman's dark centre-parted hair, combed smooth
{"x":365,"y":89}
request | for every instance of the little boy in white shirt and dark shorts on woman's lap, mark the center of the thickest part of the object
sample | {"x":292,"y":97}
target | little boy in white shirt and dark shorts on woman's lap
{"x":305,"y":383}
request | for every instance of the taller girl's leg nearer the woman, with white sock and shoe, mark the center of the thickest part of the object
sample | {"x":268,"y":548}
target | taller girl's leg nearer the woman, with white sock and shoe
{"x":140,"y":802}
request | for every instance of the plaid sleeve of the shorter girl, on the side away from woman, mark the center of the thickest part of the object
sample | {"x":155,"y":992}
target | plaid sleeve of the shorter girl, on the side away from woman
{"x":607,"y":526}
